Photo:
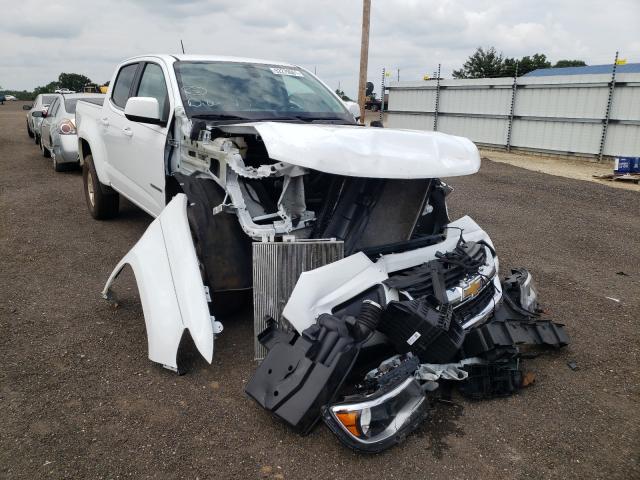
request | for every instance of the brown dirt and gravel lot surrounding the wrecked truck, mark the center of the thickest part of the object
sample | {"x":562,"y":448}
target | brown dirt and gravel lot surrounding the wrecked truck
{"x":80,"y":399}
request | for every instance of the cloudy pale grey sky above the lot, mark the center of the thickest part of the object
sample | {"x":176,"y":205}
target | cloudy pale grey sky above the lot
{"x":40,"y":39}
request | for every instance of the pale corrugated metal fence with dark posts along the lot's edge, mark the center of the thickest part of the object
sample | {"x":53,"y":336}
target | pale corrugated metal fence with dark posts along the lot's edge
{"x":562,"y":114}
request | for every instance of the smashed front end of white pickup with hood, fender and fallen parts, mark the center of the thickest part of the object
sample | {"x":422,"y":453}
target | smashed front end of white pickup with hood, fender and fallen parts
{"x":365,"y":293}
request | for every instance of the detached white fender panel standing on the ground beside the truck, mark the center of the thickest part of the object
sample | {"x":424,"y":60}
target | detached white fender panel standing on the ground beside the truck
{"x":172,"y":294}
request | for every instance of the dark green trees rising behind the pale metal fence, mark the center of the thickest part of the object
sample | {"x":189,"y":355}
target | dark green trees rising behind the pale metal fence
{"x":489,"y":63}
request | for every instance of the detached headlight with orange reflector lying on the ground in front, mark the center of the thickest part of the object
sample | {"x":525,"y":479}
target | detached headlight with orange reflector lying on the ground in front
{"x":373,"y":423}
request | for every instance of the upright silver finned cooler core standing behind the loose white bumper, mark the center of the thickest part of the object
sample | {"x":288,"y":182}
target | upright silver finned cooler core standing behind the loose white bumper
{"x":276,"y":268}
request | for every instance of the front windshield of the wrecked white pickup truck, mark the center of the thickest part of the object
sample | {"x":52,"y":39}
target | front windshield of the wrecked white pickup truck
{"x":255,"y":91}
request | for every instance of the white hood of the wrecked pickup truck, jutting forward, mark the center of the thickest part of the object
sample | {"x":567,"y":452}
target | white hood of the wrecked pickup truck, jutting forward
{"x":368,"y":151}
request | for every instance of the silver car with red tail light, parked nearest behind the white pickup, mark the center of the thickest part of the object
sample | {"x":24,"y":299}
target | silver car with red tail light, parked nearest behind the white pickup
{"x":59,"y":140}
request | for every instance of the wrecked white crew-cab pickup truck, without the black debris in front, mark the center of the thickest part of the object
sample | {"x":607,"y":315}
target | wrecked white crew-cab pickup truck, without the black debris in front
{"x":232,"y":154}
